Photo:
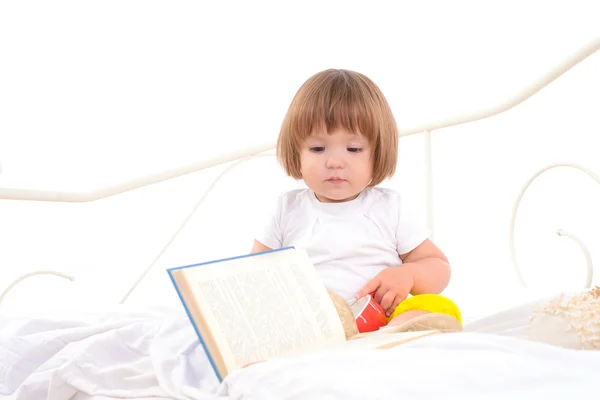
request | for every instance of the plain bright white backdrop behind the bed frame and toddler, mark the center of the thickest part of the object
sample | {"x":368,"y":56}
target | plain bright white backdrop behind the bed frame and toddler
{"x":96,"y":93}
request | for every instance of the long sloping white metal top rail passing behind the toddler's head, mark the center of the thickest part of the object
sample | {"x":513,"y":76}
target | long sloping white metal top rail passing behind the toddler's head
{"x":522,"y":95}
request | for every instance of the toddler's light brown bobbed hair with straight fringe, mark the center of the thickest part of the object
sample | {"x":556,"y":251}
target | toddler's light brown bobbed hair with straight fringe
{"x":338,"y":98}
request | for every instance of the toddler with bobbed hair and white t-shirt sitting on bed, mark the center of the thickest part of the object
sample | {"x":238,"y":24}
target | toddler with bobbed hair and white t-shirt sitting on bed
{"x":339,"y":136}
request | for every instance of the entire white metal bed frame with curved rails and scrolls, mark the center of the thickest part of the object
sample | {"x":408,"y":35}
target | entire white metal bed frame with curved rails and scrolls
{"x":266,"y":149}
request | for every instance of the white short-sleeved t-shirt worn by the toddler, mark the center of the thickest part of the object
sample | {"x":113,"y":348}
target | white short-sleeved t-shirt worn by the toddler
{"x":349,"y":243}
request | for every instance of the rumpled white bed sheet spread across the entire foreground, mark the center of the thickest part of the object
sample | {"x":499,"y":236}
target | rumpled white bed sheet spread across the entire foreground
{"x":154,"y":354}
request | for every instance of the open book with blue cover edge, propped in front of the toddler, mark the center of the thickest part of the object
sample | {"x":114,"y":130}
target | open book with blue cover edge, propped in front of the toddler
{"x":264,"y":305}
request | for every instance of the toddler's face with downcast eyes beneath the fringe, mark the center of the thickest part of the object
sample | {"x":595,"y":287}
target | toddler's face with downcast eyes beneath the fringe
{"x":336,"y":166}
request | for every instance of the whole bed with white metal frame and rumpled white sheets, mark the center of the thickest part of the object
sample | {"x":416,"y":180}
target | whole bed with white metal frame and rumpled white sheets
{"x":137,"y":351}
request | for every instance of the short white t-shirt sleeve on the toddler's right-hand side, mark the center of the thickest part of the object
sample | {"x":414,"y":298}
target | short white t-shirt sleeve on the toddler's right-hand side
{"x":411,"y":228}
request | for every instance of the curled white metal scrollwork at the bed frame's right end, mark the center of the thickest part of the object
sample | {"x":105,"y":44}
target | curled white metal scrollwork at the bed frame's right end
{"x":513,"y":253}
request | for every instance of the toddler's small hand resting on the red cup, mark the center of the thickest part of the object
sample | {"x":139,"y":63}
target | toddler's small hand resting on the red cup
{"x":389,"y":287}
